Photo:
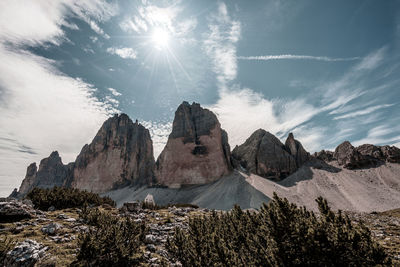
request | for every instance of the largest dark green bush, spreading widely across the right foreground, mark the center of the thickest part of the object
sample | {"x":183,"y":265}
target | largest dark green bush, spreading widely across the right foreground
{"x":281,"y":234}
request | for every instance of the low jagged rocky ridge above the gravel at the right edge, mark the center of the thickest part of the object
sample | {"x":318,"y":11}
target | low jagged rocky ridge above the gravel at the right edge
{"x":363,"y":156}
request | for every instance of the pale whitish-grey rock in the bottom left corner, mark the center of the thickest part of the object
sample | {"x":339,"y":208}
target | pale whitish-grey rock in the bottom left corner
{"x":25,"y":254}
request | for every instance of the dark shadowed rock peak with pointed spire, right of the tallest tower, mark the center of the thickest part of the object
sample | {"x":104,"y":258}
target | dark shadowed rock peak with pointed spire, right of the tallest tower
{"x":265,"y":155}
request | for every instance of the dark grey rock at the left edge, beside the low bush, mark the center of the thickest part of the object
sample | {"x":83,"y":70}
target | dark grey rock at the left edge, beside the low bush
{"x":13,"y":210}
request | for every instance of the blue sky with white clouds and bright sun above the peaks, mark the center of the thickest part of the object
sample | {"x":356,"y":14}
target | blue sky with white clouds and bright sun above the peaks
{"x":328,"y":71}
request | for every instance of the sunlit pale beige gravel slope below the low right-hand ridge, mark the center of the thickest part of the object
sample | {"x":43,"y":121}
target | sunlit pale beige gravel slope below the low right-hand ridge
{"x":365,"y":190}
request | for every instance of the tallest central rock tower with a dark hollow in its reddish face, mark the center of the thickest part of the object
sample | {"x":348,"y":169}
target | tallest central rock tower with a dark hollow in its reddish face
{"x":197,"y":150}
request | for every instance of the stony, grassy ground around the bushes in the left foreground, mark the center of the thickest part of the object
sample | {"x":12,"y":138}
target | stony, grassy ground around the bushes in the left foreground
{"x":50,"y":238}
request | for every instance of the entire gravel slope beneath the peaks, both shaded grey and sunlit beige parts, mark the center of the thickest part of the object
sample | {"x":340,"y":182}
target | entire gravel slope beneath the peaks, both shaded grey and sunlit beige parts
{"x":365,"y":190}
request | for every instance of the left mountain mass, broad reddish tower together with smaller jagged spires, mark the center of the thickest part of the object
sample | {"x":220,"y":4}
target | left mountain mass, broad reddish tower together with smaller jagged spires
{"x":120,"y":154}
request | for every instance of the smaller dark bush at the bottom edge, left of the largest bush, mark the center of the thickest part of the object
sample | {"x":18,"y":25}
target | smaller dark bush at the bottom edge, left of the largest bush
{"x":110,"y":241}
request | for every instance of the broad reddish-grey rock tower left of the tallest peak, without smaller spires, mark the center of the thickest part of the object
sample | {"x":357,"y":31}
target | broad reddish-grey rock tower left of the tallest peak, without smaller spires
{"x":120,"y":154}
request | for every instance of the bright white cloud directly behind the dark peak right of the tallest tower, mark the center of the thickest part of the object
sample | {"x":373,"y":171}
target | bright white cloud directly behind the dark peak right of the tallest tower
{"x":246,"y":107}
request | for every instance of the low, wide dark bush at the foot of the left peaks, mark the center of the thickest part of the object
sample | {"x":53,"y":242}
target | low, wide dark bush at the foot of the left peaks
{"x":63,"y":198}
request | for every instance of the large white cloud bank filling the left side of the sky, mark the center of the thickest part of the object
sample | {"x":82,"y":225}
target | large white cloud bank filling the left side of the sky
{"x":42,"y":109}
